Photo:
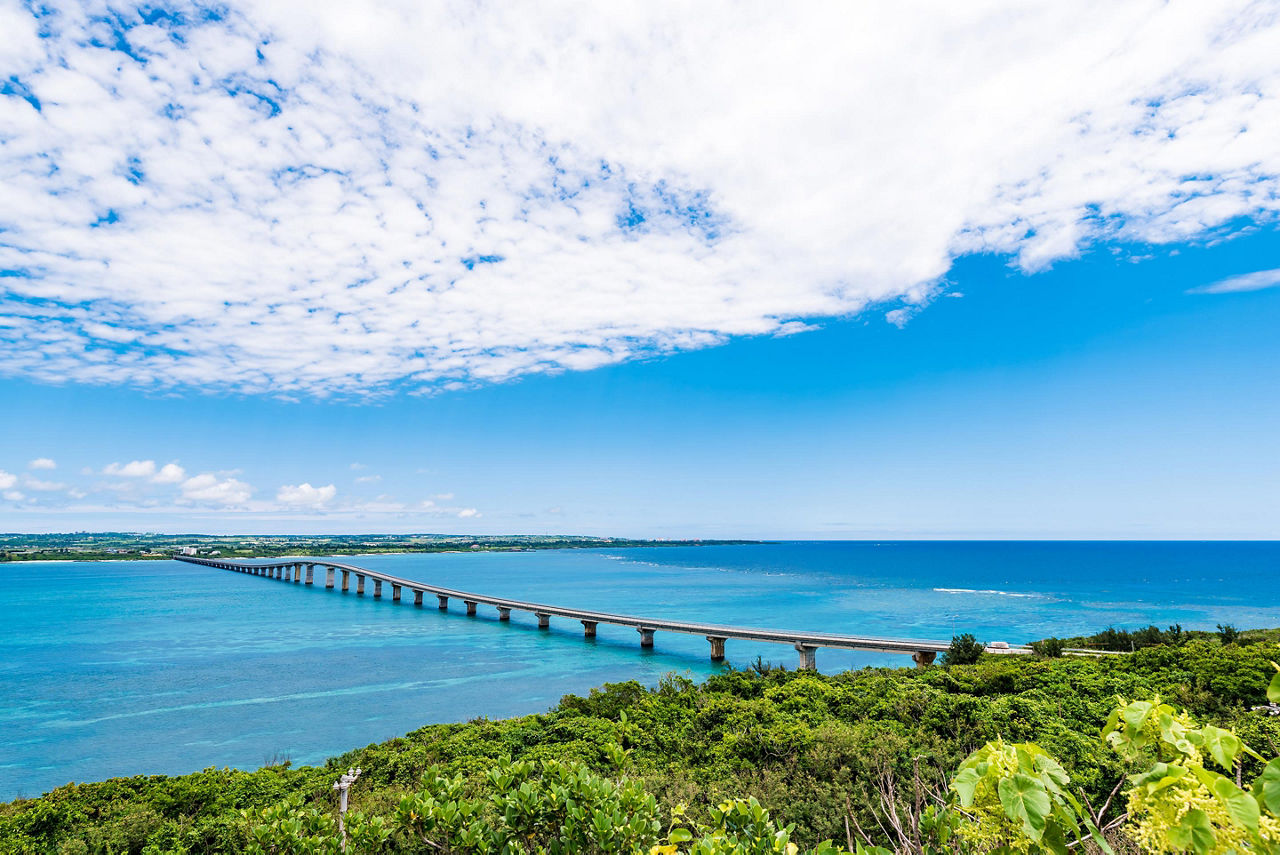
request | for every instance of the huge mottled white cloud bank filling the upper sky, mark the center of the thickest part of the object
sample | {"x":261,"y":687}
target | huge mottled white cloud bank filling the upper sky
{"x":427,"y":196}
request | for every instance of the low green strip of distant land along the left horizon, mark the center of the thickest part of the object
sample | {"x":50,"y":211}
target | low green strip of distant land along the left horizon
{"x":120,"y":546}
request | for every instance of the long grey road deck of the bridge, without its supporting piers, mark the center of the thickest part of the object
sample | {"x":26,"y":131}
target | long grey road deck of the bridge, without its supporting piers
{"x":799,"y":639}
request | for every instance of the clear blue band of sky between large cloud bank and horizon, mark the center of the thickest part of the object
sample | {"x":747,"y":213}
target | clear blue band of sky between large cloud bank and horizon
{"x":1096,"y":400}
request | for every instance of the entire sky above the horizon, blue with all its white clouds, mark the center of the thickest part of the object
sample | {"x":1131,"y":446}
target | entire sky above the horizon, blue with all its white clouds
{"x":445,"y":269}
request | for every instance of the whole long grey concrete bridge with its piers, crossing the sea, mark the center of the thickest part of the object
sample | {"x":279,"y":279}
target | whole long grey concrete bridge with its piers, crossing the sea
{"x":924,"y":653}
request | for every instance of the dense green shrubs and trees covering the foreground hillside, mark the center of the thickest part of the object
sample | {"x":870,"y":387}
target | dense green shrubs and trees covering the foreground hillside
{"x":870,"y":757}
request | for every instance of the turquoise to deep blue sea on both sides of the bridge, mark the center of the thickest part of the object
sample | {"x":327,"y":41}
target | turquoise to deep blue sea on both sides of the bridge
{"x":115,"y":669}
